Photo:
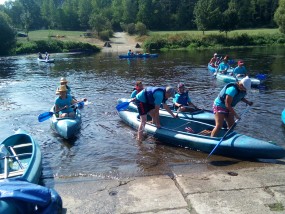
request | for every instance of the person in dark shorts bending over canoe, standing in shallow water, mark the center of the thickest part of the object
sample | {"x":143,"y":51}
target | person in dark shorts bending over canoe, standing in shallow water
{"x":148,"y":101}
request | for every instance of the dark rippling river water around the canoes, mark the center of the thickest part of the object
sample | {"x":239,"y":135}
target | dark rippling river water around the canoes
{"x":106,"y":147}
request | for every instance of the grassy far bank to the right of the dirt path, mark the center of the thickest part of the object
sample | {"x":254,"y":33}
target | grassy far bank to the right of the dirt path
{"x":213,"y":39}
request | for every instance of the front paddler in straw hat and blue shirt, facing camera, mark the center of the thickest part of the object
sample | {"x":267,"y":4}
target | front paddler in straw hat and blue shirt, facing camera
{"x":63,"y":103}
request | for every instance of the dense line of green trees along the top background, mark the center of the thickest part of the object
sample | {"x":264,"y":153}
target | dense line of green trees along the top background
{"x":154,"y":14}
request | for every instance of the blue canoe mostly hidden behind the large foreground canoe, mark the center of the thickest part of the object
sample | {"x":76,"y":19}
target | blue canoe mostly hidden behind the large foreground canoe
{"x":201,"y":115}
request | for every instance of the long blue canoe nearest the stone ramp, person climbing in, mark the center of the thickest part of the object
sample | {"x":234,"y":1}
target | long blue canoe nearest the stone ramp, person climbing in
{"x":195,"y":135}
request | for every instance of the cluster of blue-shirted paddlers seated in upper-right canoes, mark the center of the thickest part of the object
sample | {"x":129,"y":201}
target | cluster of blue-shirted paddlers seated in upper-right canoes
{"x":222,"y":65}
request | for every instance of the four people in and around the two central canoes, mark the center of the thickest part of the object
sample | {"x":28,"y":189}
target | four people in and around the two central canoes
{"x":150,"y":99}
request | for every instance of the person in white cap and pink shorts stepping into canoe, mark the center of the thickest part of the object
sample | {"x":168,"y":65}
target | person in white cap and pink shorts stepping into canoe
{"x":225,"y":102}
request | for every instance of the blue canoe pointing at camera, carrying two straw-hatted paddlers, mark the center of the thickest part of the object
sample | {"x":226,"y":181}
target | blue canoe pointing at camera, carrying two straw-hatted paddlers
{"x":66,"y":127}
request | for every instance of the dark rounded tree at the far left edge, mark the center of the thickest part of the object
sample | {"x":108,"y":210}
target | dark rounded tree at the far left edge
{"x":7,"y":35}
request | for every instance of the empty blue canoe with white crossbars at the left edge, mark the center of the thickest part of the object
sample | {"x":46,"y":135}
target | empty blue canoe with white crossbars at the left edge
{"x":20,"y":158}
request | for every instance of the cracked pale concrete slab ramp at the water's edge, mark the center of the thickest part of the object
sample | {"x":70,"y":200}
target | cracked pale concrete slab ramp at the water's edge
{"x":257,"y":190}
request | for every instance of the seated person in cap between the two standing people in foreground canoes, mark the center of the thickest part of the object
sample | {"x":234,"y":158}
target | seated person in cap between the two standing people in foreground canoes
{"x":182,"y":101}
